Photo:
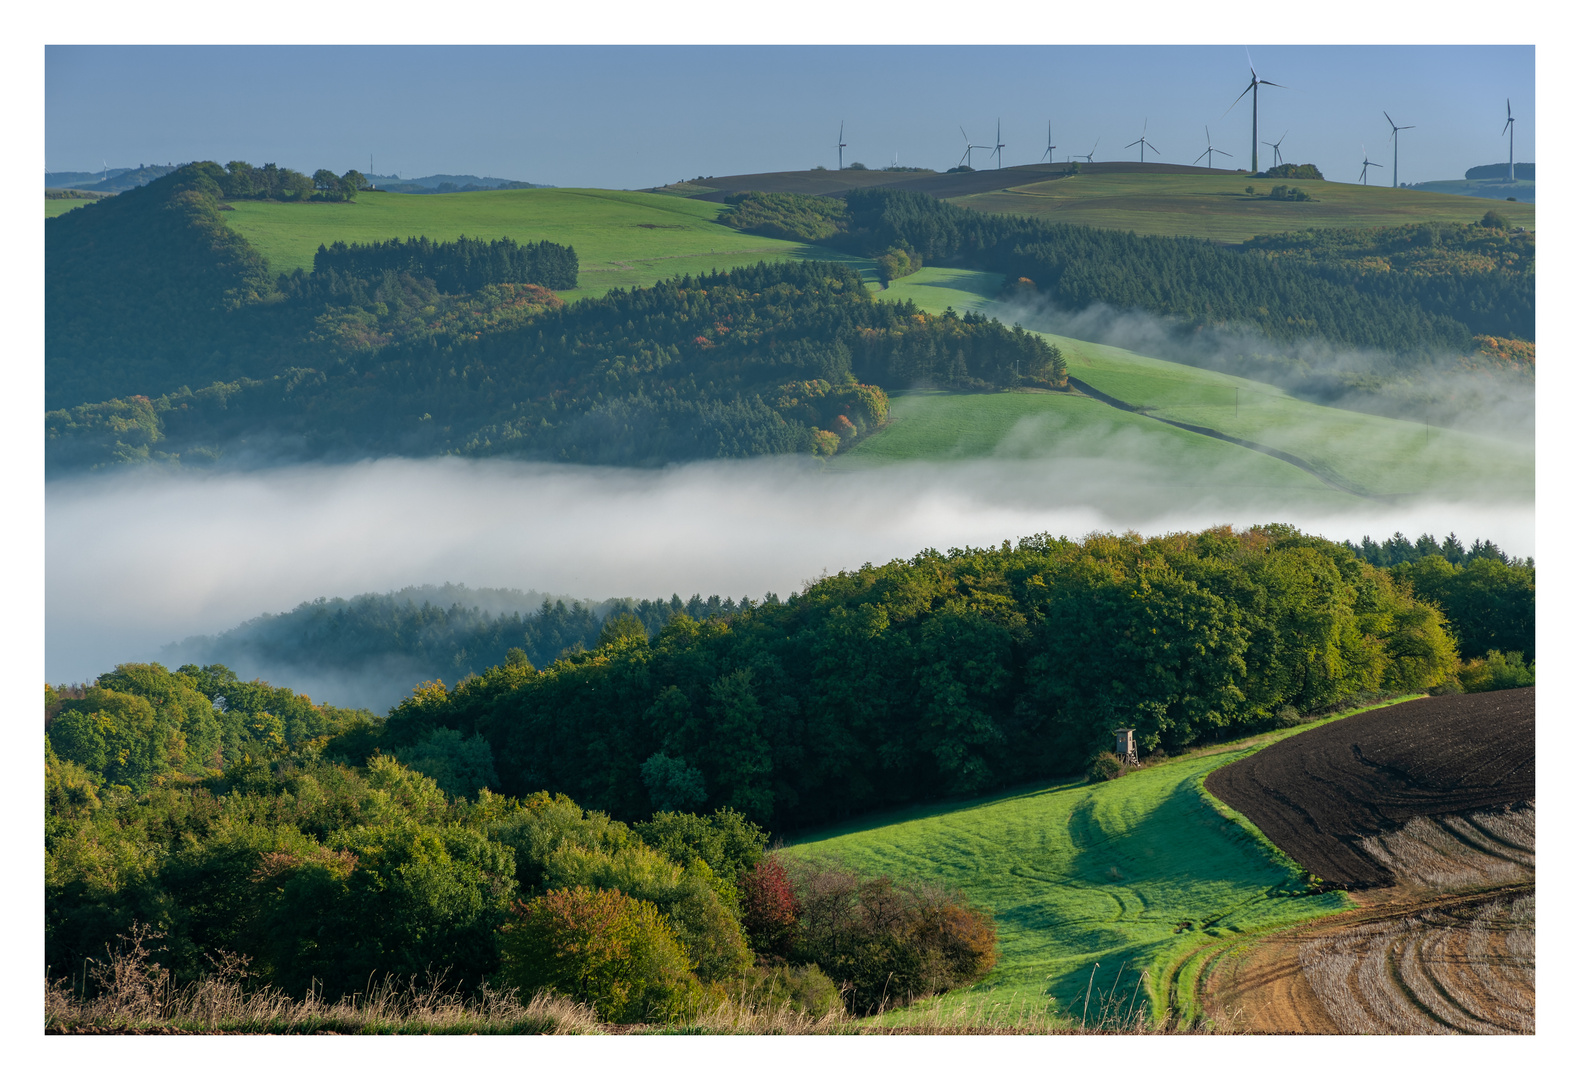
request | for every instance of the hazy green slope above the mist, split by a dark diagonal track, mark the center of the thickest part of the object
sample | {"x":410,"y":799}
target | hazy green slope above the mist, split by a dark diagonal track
{"x":1379,"y":456}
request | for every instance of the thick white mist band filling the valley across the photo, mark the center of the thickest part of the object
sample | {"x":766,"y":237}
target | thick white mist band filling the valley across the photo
{"x":143,"y":560}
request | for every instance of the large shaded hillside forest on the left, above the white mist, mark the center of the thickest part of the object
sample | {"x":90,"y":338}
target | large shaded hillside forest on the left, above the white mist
{"x":369,"y":354}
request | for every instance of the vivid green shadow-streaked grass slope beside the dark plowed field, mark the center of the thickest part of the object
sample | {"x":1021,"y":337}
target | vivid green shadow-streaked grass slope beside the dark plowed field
{"x":1082,"y":874}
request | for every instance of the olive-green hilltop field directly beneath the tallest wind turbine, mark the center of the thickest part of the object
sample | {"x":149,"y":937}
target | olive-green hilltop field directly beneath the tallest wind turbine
{"x":1219,"y":209}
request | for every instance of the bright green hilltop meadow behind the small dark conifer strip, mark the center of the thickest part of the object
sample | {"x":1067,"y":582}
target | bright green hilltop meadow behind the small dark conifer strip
{"x":623,"y":239}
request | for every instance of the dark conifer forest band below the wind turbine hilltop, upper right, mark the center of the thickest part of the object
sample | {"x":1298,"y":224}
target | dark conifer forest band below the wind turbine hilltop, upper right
{"x":1288,"y":288}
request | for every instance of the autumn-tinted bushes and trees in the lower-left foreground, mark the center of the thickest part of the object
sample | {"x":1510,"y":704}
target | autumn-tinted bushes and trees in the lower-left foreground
{"x":312,"y":874}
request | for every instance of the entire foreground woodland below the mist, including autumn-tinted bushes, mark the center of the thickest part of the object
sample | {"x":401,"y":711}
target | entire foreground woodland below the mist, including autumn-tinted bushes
{"x":532,"y":814}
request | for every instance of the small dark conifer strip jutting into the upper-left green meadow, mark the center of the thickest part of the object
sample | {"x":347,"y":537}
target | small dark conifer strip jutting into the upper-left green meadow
{"x":454,"y":266}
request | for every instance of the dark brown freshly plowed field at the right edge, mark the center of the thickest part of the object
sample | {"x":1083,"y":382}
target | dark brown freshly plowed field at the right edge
{"x":1325,"y":795}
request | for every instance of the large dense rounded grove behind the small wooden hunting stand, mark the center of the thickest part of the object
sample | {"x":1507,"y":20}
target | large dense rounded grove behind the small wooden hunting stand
{"x":950,"y":675}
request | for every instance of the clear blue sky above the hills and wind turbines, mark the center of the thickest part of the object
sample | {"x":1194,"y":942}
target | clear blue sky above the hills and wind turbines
{"x":642,"y":116}
